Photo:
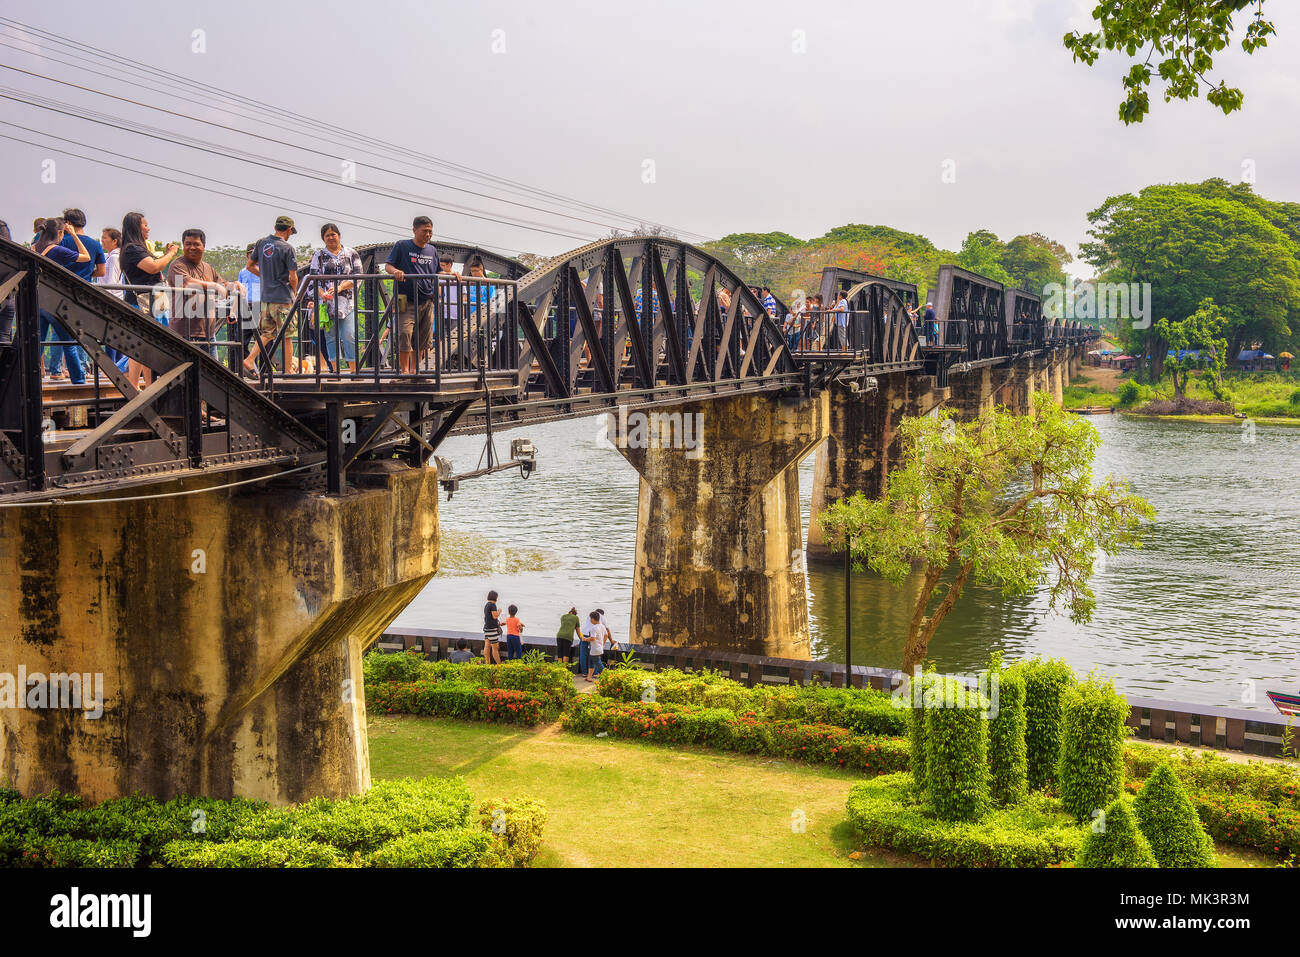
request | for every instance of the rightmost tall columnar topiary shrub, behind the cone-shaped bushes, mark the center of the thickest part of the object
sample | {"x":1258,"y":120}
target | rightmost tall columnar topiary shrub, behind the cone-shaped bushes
{"x":1091,"y":770}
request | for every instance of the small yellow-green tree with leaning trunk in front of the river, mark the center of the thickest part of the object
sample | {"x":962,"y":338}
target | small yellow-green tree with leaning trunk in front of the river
{"x":1006,"y":500}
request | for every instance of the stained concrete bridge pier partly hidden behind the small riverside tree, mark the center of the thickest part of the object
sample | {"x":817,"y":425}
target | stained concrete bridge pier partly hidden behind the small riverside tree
{"x":864,"y":444}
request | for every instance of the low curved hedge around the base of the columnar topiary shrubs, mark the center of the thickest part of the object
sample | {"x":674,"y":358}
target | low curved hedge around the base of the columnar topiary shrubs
{"x":1035,"y":834}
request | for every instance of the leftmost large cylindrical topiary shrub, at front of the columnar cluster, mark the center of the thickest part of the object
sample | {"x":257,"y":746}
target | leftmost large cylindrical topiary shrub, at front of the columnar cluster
{"x":957,"y":752}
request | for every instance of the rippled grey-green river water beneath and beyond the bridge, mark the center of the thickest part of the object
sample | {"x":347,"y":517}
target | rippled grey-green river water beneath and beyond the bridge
{"x":1206,"y":612}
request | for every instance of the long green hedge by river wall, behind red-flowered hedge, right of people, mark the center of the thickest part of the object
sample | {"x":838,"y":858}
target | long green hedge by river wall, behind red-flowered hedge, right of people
{"x":863,"y":711}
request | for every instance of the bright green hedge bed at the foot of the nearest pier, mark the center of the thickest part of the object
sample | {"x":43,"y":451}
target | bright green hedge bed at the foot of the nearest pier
{"x":409,"y":824}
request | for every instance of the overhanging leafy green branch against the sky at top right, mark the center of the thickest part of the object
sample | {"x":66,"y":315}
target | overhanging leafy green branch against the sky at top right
{"x":1186,"y":34}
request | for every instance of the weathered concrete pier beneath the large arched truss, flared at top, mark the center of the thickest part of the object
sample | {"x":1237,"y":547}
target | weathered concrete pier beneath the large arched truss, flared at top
{"x":720,"y":534}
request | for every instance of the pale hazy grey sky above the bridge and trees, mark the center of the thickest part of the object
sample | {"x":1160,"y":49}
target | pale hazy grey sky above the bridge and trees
{"x":705,"y":116}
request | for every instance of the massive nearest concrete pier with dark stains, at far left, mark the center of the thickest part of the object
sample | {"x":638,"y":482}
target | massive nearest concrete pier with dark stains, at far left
{"x":227,"y":627}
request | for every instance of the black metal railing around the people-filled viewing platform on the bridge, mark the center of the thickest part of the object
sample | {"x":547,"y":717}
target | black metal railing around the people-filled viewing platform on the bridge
{"x":357,"y":327}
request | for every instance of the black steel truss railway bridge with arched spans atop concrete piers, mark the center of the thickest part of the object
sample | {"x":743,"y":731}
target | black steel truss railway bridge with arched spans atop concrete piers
{"x":622,"y":322}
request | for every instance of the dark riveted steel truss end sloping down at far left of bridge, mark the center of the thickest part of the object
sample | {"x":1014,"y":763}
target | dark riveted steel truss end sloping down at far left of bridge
{"x":197,"y":418}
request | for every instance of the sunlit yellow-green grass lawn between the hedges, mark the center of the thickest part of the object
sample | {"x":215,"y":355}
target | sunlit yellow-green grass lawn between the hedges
{"x":621,"y":804}
